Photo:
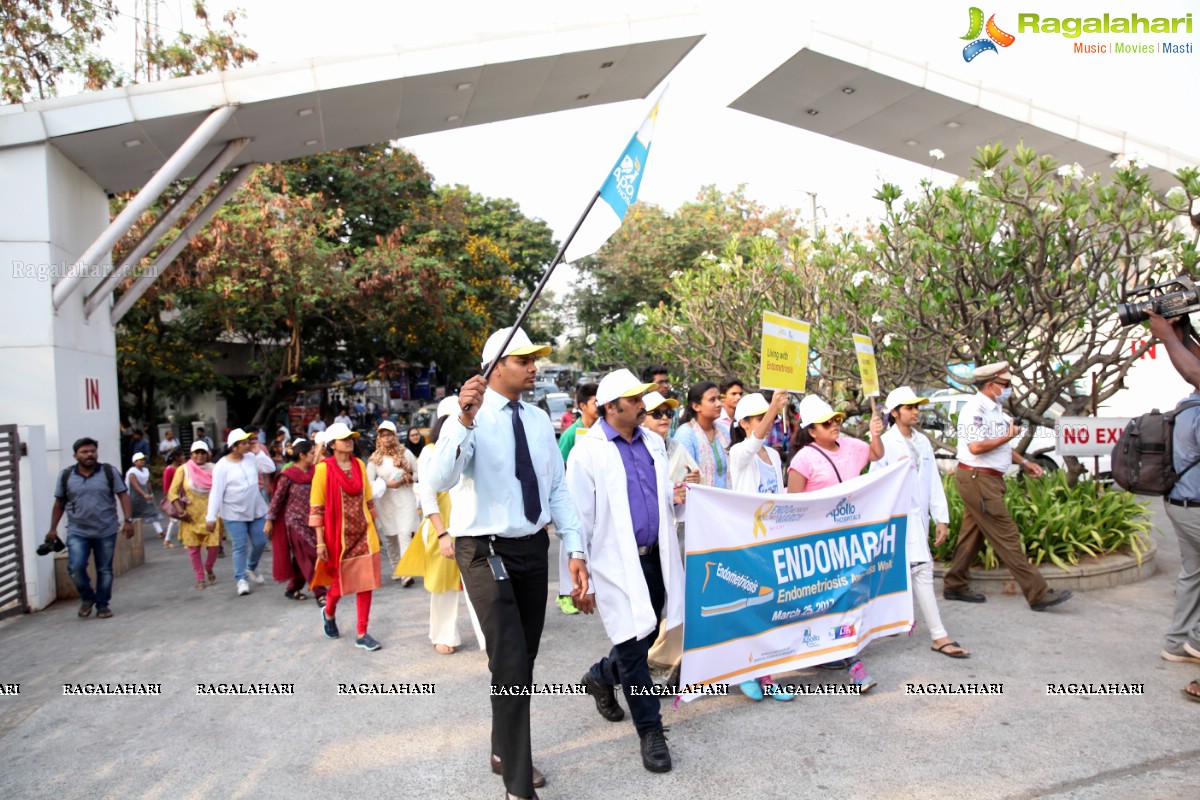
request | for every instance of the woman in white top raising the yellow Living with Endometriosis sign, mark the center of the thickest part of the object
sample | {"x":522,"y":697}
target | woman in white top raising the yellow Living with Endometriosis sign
{"x":757,"y":470}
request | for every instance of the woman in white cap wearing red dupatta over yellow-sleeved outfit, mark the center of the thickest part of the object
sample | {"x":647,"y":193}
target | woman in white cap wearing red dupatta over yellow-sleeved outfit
{"x":343,"y":515}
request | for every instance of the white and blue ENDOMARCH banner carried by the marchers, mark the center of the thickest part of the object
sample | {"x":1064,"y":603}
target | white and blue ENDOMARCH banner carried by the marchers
{"x":779,"y":582}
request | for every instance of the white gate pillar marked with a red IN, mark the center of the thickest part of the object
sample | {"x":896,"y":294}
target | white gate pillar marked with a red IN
{"x":59,"y":369}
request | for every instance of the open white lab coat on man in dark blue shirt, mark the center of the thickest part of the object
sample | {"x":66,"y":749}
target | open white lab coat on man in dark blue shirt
{"x":596,"y":478}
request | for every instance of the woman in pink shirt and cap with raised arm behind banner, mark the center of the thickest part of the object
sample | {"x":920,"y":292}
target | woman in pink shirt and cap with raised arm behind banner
{"x":824,"y":459}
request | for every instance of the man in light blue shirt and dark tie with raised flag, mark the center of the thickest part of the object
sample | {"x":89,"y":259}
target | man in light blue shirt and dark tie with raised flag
{"x":508,"y":485}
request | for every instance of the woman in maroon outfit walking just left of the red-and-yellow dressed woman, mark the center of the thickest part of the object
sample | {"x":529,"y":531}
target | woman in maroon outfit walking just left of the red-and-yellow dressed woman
{"x":293,"y":543}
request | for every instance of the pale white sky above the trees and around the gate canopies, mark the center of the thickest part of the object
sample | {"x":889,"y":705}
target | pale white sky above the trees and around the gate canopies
{"x":553,"y":164}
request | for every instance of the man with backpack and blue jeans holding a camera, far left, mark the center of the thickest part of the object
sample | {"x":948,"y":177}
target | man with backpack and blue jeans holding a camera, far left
{"x":87,"y":494}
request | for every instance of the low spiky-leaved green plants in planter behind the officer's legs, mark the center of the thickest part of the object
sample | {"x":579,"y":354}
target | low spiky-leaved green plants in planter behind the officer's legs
{"x":1059,"y":522}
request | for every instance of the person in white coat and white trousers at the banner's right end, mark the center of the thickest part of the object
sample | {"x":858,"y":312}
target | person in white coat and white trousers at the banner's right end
{"x":904,"y":442}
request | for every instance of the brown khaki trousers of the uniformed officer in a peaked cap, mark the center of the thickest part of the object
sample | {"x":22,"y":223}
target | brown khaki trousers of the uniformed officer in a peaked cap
{"x":986,"y":516}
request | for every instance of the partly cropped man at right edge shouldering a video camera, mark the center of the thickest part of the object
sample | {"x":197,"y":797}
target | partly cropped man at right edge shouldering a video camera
{"x":1183,"y":504}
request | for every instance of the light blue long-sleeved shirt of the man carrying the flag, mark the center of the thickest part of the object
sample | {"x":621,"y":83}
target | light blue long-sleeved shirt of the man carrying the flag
{"x":483,"y":479}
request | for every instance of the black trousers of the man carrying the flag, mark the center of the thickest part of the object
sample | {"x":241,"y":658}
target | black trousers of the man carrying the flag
{"x":512,"y":615}
